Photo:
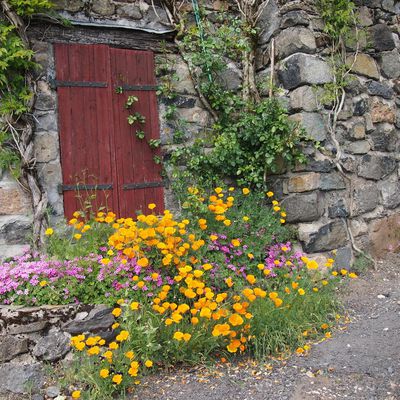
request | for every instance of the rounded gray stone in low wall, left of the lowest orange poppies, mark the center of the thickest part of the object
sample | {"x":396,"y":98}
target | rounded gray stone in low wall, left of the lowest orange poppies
{"x":52,"y":347}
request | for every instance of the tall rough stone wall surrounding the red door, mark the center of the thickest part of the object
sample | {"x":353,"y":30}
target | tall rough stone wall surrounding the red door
{"x":317,"y":198}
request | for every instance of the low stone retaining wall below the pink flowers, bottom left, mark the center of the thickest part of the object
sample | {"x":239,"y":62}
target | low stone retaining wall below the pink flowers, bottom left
{"x":31,"y":337}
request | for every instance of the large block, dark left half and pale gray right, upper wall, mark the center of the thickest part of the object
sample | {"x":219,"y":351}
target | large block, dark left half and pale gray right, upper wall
{"x":303,"y":69}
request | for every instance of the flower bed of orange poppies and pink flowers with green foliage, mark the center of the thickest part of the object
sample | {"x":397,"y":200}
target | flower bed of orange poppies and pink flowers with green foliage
{"x":221,"y":280}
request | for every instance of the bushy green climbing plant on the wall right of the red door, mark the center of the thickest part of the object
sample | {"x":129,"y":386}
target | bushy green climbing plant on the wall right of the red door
{"x":250,"y":134}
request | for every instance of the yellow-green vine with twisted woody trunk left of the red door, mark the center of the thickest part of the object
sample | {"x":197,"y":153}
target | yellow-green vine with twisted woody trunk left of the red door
{"x":17,"y":95}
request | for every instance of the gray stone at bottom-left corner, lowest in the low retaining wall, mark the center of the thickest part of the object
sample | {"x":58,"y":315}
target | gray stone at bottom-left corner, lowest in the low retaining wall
{"x":18,"y":377}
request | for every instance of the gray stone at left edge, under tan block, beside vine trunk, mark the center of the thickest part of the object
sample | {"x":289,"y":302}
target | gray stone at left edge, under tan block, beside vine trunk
{"x":14,"y":229}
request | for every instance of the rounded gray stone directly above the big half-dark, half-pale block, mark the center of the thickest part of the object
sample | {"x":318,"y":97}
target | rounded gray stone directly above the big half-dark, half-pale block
{"x":295,"y":40}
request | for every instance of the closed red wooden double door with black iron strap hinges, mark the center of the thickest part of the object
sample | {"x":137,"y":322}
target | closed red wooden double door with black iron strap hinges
{"x":103,"y":162}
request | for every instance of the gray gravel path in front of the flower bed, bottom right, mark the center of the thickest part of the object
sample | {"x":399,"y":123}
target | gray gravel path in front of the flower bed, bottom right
{"x":361,"y":362}
